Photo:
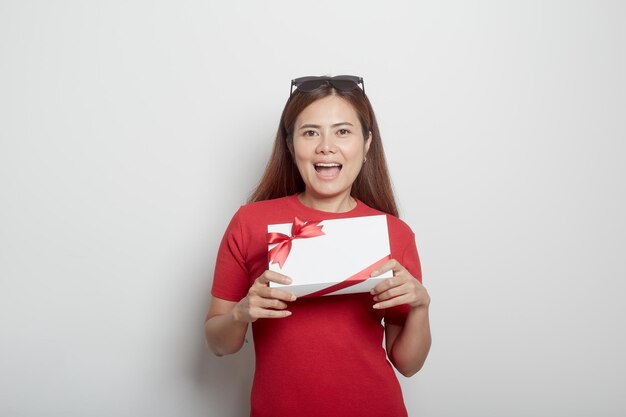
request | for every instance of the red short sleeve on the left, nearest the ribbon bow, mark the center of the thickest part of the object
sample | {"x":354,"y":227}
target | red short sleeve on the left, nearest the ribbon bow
{"x":231,"y":277}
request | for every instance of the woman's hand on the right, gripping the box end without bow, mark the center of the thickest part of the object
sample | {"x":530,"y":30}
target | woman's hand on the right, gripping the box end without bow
{"x":402,"y":288}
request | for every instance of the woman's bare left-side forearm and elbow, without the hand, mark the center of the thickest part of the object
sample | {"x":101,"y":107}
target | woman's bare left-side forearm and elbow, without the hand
{"x":224,"y":333}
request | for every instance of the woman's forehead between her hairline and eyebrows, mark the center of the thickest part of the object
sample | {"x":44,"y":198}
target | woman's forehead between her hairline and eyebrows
{"x":328,"y":110}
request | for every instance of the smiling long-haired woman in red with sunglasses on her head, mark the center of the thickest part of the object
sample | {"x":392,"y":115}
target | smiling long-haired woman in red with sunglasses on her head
{"x":321,"y":356}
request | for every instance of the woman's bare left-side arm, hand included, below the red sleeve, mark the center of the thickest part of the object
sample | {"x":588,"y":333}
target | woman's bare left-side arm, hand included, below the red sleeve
{"x":227,"y":321}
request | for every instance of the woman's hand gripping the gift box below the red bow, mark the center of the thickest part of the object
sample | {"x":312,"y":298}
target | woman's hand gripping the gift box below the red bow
{"x":263,"y":301}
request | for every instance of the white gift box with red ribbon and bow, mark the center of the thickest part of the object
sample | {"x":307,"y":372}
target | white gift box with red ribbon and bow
{"x":336,"y":258}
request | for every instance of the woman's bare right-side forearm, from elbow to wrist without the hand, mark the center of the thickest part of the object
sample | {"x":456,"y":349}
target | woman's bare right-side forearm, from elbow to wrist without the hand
{"x":411,"y":346}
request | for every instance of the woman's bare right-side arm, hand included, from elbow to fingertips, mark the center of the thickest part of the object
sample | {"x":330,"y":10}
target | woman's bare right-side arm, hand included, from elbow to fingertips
{"x":408,"y":344}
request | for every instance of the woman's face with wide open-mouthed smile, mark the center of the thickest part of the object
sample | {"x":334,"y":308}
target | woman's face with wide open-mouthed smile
{"x":329,"y":147}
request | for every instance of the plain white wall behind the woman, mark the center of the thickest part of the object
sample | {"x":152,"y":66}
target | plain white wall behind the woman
{"x":130,"y":132}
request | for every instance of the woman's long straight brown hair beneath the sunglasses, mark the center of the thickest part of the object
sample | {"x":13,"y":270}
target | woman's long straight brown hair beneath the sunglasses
{"x":282,"y":178}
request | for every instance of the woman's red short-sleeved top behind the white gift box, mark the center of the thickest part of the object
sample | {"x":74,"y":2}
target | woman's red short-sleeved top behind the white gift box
{"x":327,"y":358}
